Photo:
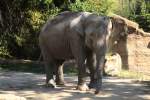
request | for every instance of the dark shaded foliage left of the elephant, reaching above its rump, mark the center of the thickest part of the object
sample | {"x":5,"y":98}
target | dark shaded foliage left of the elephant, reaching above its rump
{"x":22,"y":21}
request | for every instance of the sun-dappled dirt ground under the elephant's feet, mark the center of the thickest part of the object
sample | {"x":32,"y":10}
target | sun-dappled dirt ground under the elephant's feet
{"x":29,"y":86}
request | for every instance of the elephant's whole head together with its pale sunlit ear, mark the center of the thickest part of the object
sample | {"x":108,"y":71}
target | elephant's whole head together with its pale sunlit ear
{"x":95,"y":29}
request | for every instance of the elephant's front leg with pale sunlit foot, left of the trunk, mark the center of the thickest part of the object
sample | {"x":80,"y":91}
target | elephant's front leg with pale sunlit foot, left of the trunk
{"x":79,"y":53}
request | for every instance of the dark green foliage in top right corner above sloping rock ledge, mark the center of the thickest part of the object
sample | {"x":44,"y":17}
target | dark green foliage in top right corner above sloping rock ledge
{"x":141,"y":14}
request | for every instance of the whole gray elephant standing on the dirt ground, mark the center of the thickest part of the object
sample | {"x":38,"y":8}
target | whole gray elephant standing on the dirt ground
{"x":76,"y":35}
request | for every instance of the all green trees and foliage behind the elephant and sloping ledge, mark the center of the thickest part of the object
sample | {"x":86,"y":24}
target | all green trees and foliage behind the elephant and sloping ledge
{"x":21,"y":20}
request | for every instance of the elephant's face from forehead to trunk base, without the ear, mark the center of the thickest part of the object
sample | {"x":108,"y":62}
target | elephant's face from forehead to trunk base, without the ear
{"x":97,"y":31}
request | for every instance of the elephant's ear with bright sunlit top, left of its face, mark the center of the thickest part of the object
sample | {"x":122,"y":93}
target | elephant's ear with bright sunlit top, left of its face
{"x":76,"y":26}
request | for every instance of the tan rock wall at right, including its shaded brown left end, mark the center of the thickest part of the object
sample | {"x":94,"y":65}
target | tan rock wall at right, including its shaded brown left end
{"x":135,"y":52}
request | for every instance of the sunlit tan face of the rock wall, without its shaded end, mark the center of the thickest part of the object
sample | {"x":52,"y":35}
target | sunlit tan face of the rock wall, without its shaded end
{"x":138,"y":53}
